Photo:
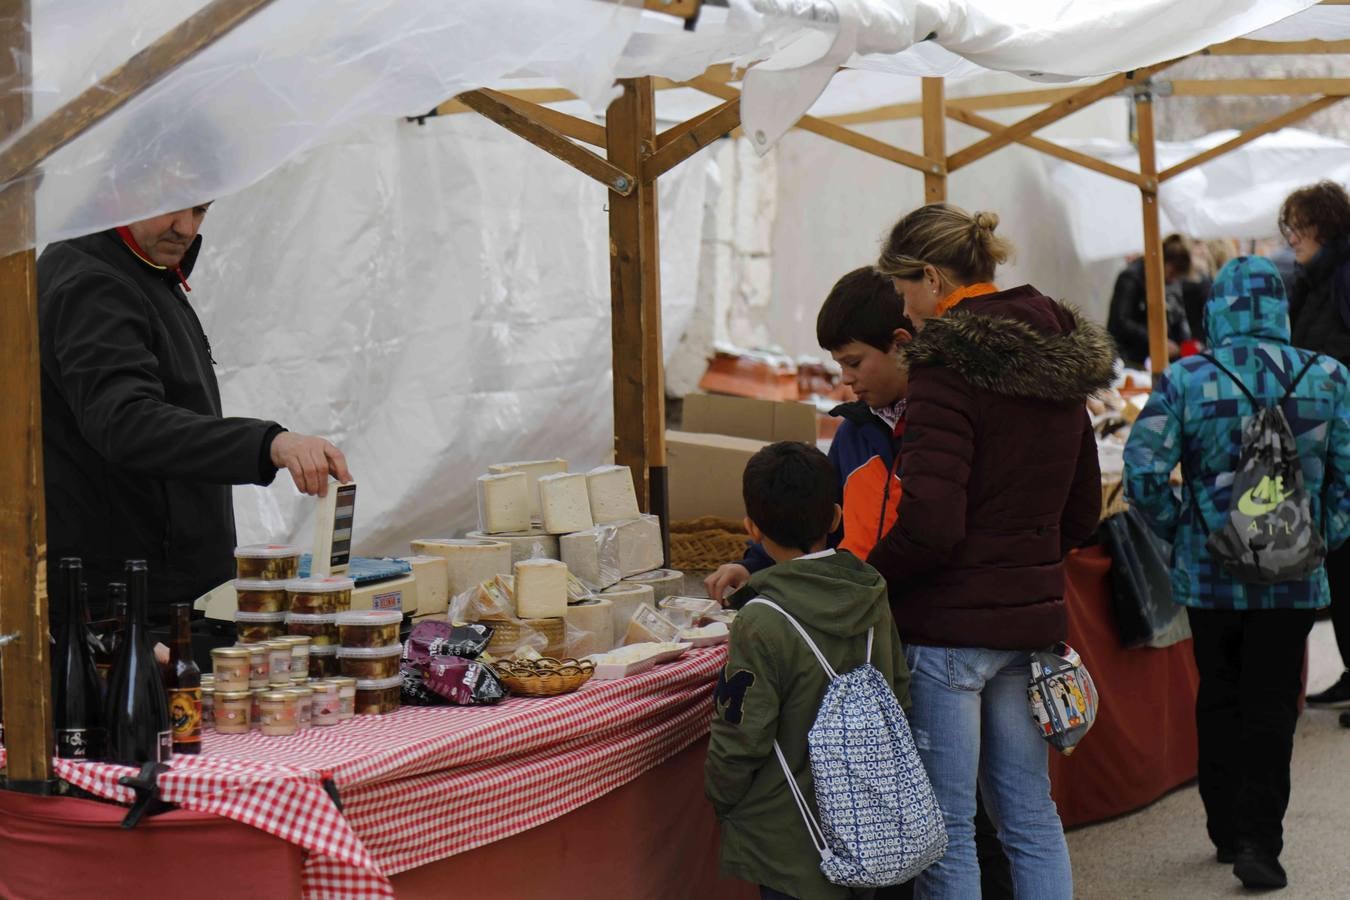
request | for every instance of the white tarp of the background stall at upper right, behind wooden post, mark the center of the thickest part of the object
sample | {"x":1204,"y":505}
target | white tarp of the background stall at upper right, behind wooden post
{"x":1236,"y":196}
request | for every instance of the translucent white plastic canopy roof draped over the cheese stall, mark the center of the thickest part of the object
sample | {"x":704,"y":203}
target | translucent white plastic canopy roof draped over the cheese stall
{"x":303,"y":72}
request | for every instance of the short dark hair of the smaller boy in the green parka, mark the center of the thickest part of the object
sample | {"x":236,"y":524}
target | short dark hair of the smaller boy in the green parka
{"x":789,"y":490}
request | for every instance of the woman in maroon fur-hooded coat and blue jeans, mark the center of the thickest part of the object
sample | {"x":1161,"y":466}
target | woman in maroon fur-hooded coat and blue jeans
{"x":1001,"y":478}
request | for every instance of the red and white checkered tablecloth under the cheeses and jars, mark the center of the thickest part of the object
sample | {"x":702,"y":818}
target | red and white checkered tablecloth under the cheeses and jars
{"x":426,"y":783}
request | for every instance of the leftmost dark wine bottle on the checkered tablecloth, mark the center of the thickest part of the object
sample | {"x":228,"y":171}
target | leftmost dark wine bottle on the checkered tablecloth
{"x":76,"y":693}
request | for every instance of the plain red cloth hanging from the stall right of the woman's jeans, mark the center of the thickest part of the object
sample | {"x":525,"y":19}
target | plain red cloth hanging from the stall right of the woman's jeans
{"x":1144,"y":741}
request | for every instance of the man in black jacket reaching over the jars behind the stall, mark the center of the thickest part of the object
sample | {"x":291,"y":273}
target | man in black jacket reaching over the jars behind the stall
{"x":138,"y":457}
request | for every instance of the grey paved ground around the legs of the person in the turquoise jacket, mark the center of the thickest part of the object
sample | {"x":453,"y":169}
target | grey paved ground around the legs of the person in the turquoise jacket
{"x":1163,"y":851}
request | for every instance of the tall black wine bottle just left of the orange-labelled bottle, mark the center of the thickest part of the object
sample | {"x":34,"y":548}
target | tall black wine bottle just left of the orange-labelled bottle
{"x":138,"y":717}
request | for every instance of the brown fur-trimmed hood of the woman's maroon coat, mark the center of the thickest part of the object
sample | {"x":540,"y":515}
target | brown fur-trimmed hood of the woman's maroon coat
{"x":1020,"y":343}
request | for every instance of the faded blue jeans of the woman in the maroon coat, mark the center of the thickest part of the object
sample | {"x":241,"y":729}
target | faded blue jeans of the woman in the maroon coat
{"x":973,"y":727}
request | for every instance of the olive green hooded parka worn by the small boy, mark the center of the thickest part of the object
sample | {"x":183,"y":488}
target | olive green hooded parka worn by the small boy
{"x":772,"y":690}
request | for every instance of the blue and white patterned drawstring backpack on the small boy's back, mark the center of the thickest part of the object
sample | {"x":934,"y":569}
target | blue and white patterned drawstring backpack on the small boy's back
{"x":880,"y":820}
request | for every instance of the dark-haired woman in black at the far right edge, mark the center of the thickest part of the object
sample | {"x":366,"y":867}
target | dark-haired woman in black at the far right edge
{"x":1316,"y":222}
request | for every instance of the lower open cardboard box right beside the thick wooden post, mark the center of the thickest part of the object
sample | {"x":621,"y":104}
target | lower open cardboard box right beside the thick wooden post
{"x":705,"y":474}
